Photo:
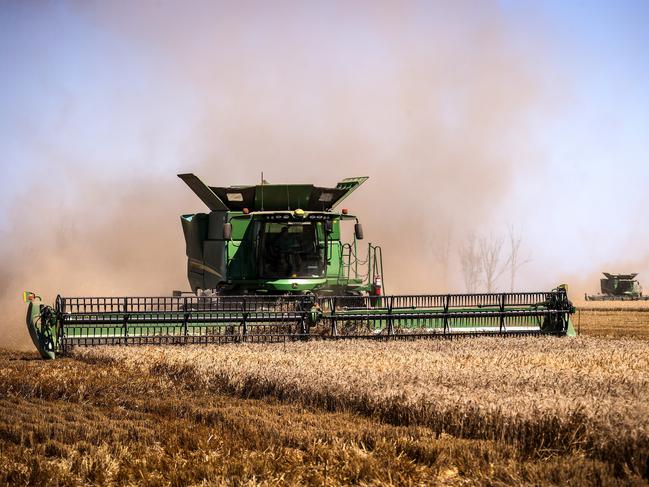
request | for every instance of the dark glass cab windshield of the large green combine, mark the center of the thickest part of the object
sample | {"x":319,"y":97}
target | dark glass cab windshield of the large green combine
{"x":290,"y":249}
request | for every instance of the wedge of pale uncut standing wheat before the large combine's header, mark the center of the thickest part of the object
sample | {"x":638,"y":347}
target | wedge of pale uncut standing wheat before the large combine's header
{"x":542,"y":395}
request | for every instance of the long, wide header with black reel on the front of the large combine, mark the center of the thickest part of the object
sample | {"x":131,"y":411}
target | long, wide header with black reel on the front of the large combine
{"x":178,"y":320}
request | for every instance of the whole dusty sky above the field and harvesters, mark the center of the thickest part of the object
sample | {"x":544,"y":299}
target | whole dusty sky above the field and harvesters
{"x":471,"y":116}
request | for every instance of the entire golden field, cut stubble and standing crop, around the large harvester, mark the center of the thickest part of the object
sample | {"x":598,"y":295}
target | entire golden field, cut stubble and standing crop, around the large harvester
{"x":474,"y":411}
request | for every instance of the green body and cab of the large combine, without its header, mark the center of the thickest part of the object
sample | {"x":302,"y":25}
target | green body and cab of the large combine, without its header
{"x":275,"y":239}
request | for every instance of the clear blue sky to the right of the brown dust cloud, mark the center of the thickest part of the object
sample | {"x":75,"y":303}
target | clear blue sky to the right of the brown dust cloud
{"x":597,"y":146}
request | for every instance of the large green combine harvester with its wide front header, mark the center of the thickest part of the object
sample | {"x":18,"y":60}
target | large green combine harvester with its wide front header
{"x":268,"y":263}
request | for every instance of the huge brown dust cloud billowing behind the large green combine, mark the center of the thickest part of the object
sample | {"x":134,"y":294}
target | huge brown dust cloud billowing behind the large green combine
{"x":430,"y":101}
